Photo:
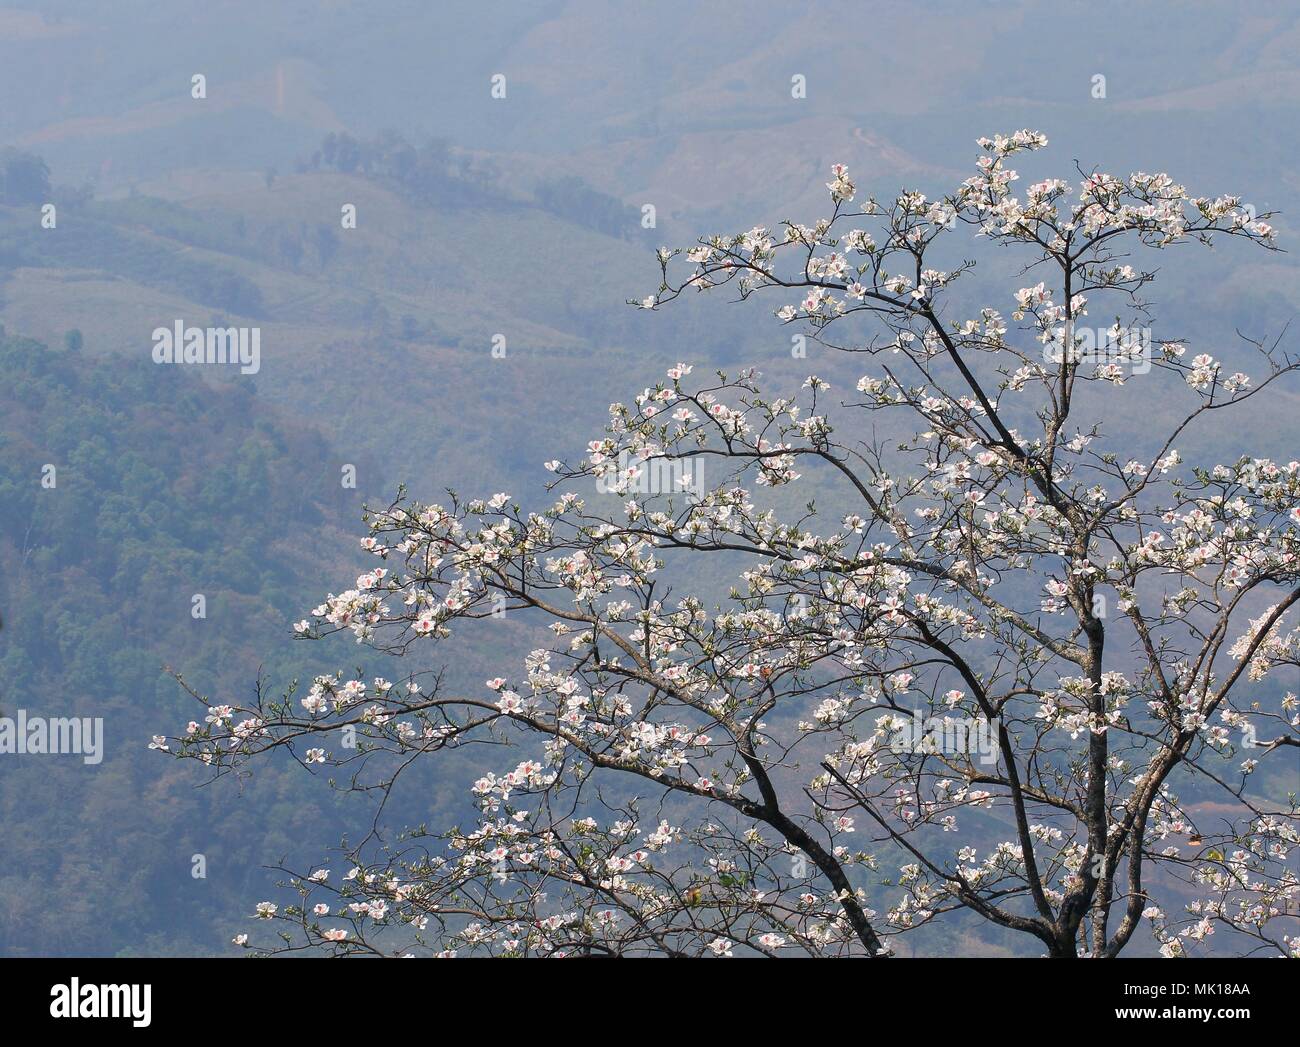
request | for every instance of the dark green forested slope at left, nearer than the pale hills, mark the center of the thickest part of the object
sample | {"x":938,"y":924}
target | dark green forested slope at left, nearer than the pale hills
{"x":164,"y":488}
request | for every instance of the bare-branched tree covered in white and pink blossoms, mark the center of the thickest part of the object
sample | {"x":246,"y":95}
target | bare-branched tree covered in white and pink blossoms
{"x":978,"y":693}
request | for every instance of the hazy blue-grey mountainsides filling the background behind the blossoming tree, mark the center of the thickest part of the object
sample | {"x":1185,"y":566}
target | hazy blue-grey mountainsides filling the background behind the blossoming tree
{"x":482,"y":222}
